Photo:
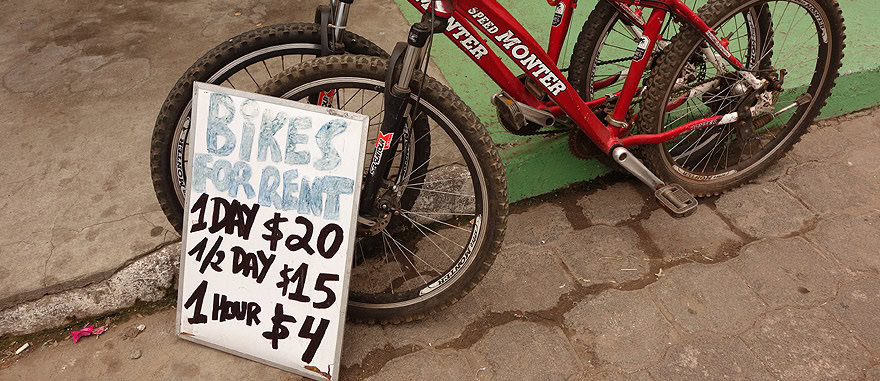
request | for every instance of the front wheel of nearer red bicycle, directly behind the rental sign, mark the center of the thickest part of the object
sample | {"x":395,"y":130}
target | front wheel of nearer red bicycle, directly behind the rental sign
{"x":430,"y":251}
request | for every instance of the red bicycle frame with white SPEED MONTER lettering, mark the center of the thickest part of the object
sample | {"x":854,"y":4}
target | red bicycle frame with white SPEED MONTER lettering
{"x":499,"y":26}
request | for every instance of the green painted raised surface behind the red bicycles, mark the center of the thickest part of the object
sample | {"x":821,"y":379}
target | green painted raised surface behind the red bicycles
{"x":538,"y":165}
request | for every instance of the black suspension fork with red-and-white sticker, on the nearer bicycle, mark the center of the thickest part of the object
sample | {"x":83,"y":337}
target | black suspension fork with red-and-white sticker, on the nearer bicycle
{"x":395,"y":126}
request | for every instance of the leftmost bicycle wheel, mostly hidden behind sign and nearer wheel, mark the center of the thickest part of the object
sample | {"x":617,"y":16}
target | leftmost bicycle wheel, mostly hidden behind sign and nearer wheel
{"x":243,"y":62}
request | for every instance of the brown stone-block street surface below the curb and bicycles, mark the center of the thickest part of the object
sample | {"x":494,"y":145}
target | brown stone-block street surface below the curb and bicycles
{"x":779,"y":279}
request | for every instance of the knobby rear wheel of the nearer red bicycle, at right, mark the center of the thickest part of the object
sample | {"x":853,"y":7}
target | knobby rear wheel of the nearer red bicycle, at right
{"x":800,"y":59}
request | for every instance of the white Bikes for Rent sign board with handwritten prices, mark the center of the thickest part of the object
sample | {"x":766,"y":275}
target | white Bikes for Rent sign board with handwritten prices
{"x":270,"y":228}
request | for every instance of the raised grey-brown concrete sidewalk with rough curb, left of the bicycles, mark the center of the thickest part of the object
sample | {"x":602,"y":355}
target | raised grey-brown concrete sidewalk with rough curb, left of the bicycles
{"x":82,"y":84}
